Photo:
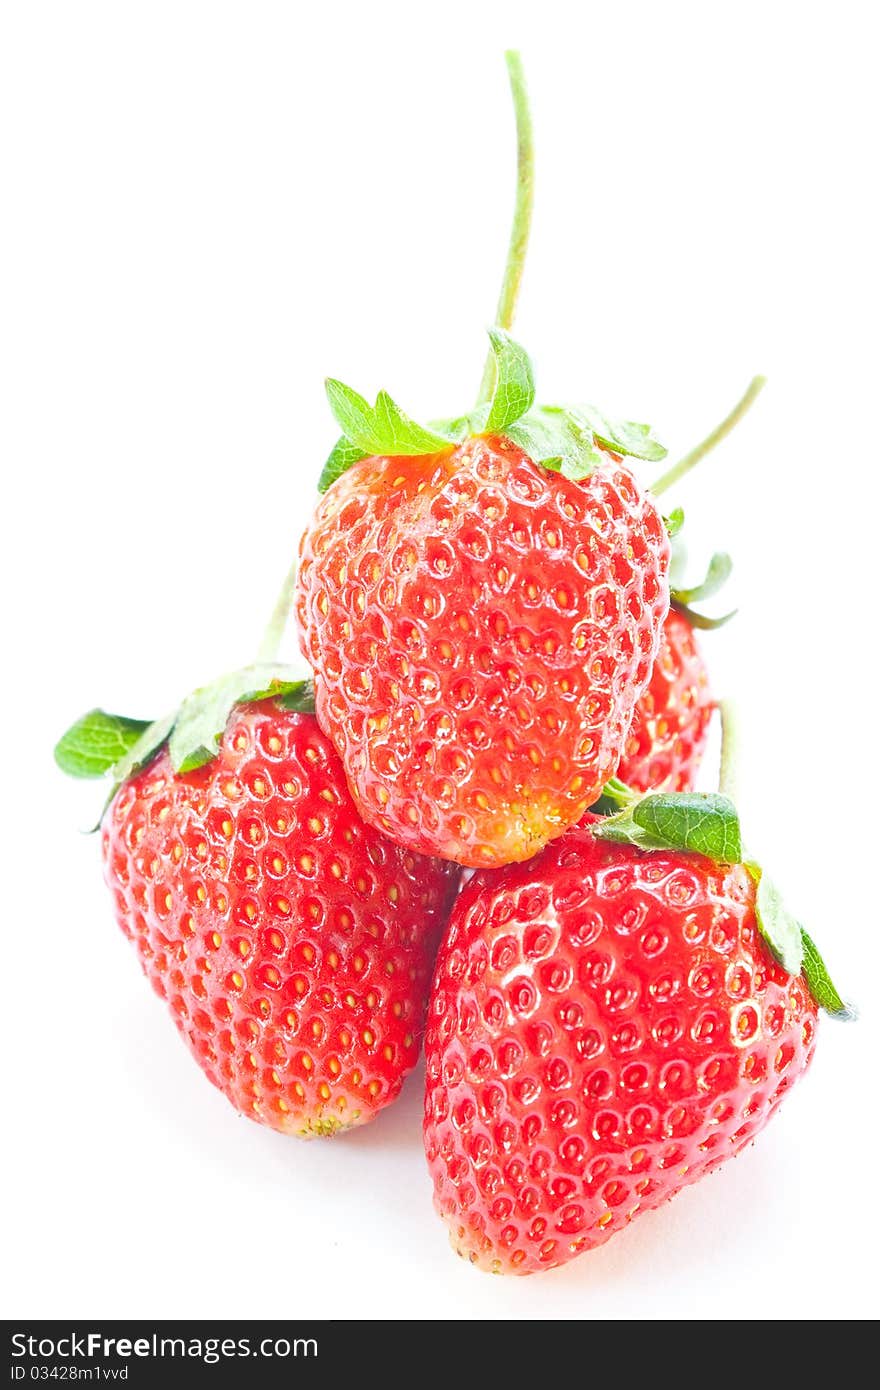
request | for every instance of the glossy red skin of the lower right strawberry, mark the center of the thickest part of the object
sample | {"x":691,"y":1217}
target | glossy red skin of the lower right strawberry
{"x":605,"y":1028}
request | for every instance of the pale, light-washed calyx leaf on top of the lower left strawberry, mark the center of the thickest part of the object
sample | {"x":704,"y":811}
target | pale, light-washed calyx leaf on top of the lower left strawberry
{"x":202,"y":718}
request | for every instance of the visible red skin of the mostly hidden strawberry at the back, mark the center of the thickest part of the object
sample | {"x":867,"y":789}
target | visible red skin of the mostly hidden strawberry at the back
{"x":669,"y":730}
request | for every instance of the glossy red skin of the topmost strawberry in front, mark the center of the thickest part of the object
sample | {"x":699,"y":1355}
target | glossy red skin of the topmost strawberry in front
{"x":480,"y":632}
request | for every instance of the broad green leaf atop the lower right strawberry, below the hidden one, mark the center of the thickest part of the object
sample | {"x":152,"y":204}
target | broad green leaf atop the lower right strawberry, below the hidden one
{"x":704,"y":824}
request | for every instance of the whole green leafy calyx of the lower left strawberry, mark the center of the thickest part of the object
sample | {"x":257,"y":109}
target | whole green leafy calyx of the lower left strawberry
{"x":113,"y":746}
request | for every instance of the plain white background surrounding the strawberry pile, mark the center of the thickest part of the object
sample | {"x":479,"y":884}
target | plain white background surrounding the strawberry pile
{"x":208,"y":208}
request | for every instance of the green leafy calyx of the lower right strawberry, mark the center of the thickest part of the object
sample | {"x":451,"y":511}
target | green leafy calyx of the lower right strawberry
{"x":708,"y":824}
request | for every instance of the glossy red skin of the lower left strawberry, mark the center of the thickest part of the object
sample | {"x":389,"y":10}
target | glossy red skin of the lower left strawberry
{"x":293,"y":945}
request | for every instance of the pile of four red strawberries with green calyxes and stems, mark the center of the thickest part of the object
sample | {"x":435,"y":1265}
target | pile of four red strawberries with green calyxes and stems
{"x":503,"y":678}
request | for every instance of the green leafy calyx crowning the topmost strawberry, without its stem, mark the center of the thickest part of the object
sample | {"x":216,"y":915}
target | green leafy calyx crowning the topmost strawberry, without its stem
{"x":568,"y":440}
